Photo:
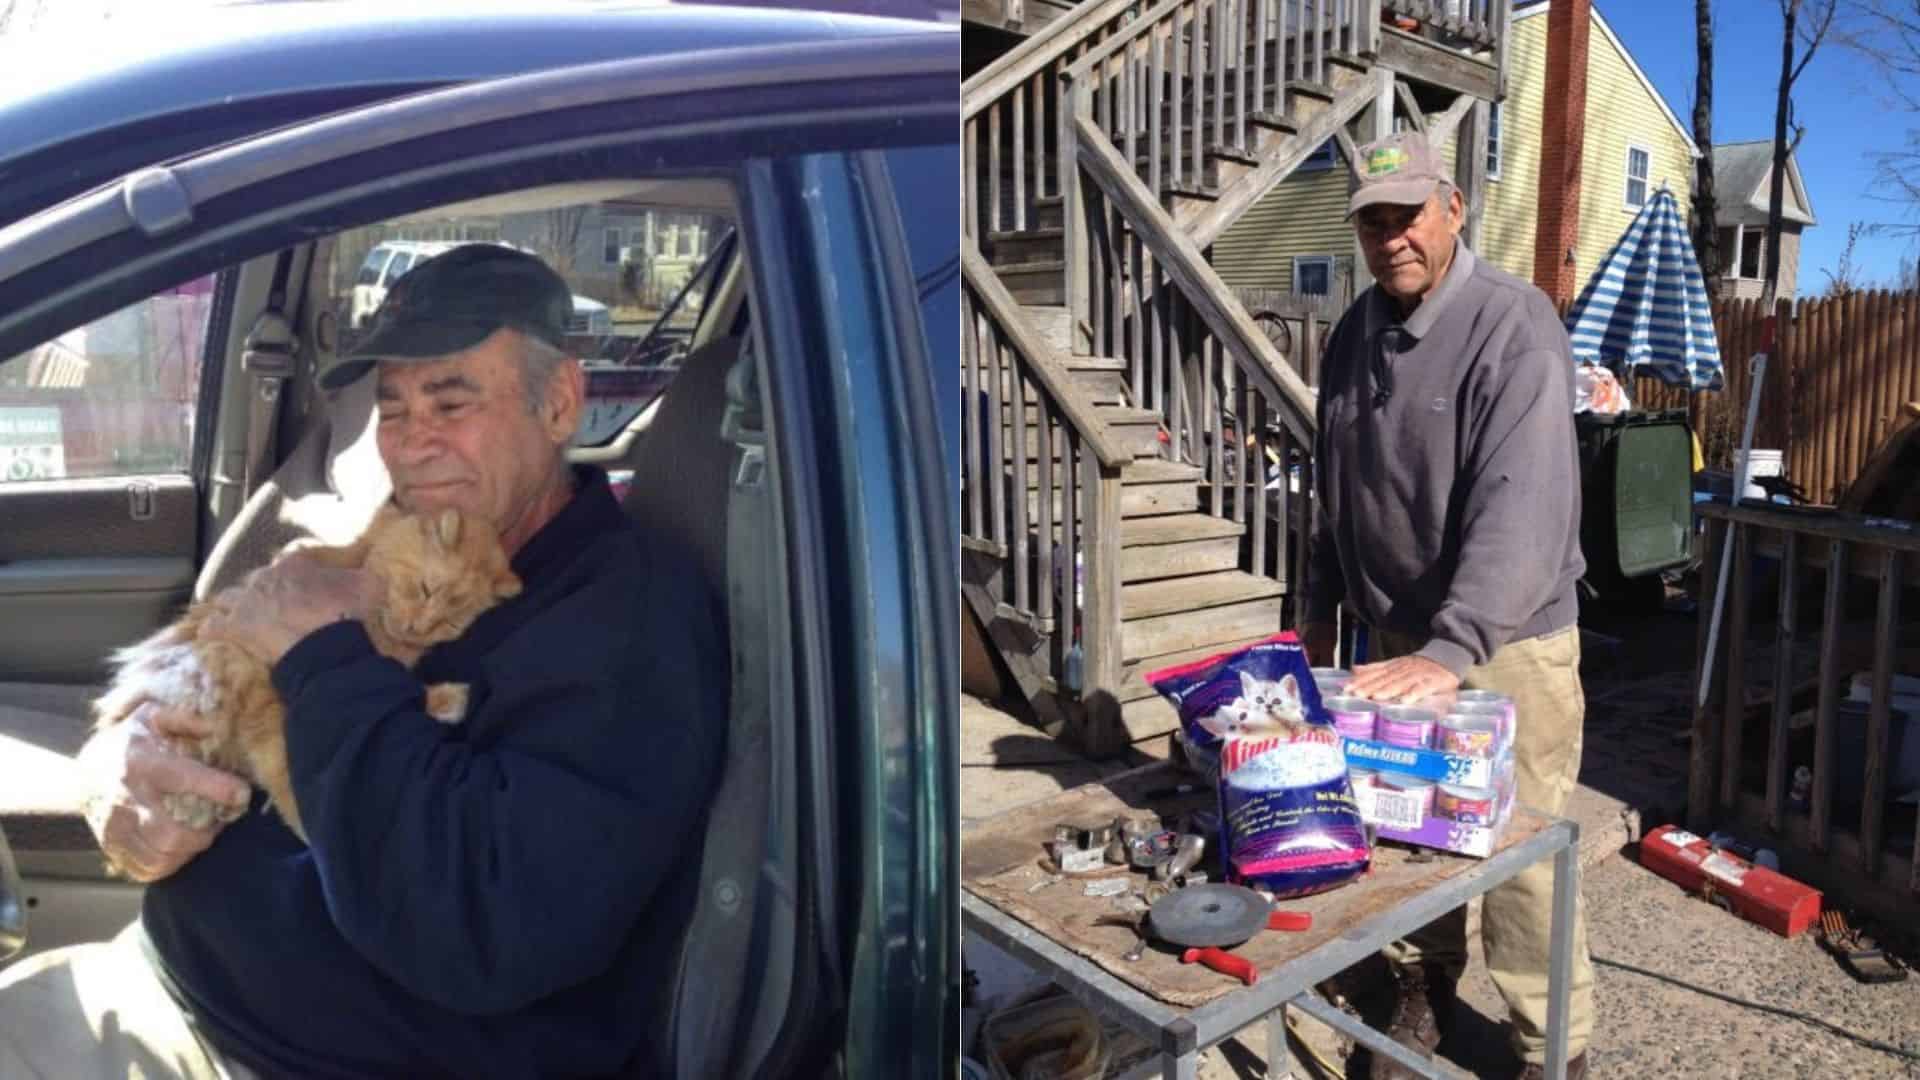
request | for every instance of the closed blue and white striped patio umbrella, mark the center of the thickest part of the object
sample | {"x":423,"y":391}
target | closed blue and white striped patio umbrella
{"x":1648,"y":305}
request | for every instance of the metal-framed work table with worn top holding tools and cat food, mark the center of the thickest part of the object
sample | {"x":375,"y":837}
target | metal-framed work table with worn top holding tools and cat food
{"x":1184,"y":1010}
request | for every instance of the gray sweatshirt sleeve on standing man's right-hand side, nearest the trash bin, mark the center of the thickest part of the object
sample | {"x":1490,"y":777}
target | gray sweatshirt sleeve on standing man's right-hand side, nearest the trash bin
{"x":1520,"y":510}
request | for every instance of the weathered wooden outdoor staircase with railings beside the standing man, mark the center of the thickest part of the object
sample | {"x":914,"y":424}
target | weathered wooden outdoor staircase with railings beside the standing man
{"x":1113,"y":522}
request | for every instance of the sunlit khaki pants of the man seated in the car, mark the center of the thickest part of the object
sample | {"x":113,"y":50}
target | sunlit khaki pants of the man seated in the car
{"x":99,"y":1012}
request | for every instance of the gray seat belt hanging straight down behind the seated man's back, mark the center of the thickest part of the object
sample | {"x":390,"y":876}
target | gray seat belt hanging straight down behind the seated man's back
{"x":711,"y":1012}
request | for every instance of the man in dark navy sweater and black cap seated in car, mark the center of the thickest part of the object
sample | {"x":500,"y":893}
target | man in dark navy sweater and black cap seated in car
{"x":498,"y":898}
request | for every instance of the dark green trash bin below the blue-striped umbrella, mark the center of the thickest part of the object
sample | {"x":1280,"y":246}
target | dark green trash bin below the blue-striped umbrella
{"x":1637,"y":499}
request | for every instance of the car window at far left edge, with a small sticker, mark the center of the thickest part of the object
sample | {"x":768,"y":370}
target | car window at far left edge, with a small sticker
{"x":112,"y":399}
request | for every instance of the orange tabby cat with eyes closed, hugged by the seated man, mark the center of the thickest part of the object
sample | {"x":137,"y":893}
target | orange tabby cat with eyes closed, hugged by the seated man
{"x":441,"y":574}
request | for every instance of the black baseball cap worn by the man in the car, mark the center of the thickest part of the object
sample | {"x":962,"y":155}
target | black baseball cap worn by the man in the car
{"x":454,"y":303}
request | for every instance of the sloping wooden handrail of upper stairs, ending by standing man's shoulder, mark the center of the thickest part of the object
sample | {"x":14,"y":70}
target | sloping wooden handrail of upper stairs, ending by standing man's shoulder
{"x":1199,"y":283}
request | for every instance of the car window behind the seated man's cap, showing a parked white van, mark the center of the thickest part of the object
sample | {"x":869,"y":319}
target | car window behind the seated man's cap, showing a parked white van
{"x":633,"y":316}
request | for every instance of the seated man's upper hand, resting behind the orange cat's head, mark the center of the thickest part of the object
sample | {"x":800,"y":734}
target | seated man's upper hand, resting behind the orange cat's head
{"x":281,"y":604}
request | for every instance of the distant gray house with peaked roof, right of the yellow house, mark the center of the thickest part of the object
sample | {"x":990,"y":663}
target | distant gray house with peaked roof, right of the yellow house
{"x":1742,"y":185}
